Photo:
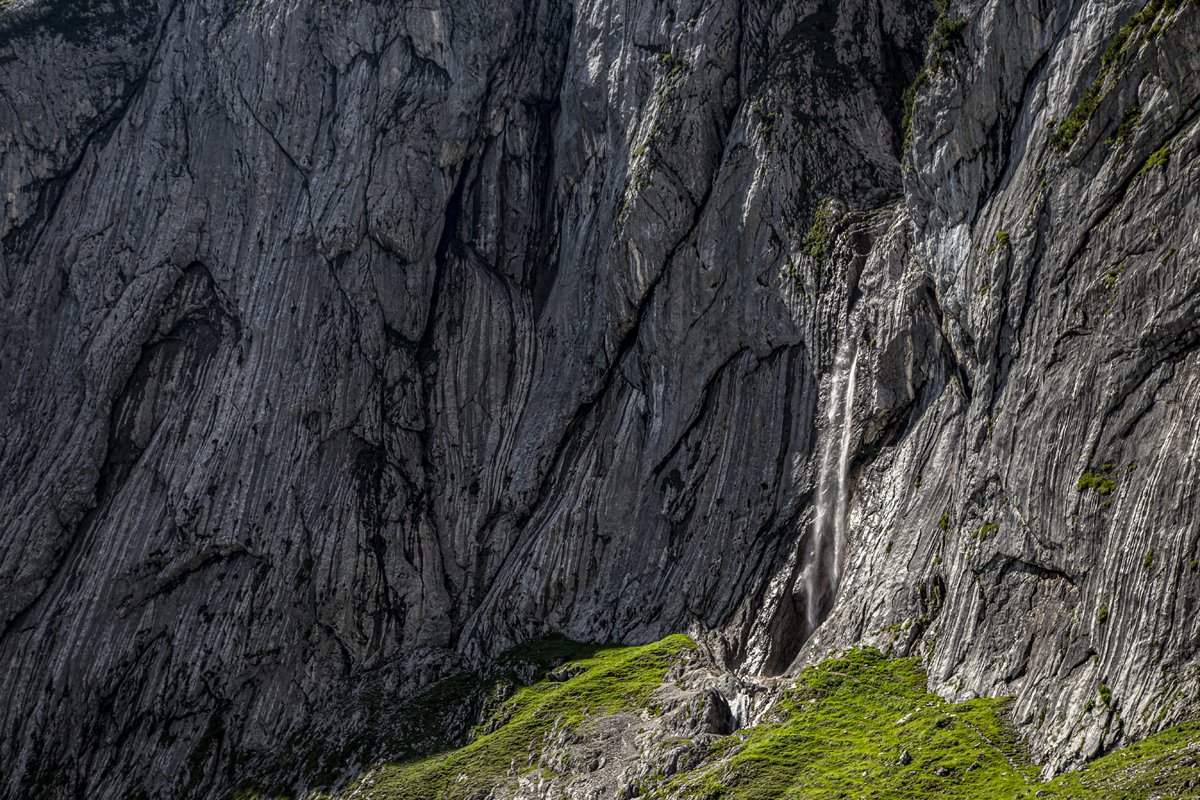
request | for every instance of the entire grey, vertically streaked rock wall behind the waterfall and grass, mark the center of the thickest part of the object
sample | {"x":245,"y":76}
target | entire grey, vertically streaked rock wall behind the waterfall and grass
{"x":346,"y":338}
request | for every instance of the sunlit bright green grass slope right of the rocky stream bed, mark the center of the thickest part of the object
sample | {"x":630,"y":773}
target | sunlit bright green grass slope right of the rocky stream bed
{"x":866,"y":726}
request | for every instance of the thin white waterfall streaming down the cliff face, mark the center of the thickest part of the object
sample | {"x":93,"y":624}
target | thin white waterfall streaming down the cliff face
{"x":833,"y":491}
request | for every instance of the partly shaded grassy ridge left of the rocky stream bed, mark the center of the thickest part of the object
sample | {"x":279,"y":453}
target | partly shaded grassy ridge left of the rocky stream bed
{"x":484,"y":725}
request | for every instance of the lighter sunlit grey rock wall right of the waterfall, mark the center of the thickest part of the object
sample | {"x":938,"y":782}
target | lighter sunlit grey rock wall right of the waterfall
{"x":1067,"y":274}
